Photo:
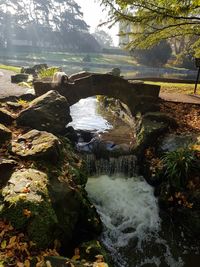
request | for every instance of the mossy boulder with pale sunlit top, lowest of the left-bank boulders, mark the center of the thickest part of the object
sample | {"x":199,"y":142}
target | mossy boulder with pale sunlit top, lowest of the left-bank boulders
{"x":27,"y":205}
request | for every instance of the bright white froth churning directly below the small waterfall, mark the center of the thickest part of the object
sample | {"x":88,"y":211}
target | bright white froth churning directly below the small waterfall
{"x":127,"y":207}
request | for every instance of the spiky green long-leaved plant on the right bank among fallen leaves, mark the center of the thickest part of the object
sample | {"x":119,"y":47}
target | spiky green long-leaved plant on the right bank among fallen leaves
{"x":178,"y":165}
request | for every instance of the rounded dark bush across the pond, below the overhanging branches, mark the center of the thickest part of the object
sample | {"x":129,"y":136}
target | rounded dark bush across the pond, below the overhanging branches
{"x":158,"y":55}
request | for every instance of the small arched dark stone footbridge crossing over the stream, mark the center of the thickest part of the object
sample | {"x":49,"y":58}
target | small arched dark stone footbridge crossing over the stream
{"x":134,"y":95}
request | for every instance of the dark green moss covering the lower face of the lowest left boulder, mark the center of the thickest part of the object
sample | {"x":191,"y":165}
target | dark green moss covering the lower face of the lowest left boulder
{"x":37,"y":218}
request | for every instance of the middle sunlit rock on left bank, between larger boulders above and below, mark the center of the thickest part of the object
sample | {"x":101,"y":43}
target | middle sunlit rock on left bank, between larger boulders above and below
{"x":36,"y":144}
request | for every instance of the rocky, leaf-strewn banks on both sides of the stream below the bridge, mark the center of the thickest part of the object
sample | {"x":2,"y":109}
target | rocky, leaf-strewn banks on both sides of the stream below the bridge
{"x":43,"y":179}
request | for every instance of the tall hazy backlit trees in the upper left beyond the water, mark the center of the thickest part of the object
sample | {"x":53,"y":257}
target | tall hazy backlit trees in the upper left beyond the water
{"x":55,"y":24}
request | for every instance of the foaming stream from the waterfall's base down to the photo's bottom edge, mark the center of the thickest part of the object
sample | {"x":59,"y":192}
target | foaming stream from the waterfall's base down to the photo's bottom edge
{"x":130,"y":214}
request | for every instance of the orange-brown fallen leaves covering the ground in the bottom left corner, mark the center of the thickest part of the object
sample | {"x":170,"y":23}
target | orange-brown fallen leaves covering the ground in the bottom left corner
{"x":17,"y":250}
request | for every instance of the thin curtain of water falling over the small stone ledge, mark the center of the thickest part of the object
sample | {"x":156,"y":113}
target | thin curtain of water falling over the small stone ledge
{"x":123,"y":164}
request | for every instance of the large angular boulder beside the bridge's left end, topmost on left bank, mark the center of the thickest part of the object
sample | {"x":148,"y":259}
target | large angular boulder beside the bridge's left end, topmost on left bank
{"x":49,"y":112}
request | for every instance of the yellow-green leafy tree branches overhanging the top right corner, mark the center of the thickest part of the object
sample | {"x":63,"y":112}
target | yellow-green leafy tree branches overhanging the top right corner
{"x":155,"y":20}
